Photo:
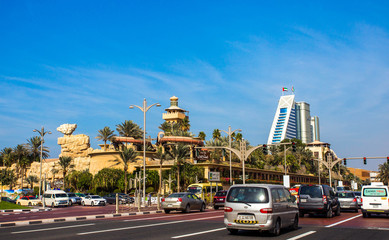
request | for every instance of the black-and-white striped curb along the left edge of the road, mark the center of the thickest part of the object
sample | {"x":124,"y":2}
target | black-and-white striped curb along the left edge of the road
{"x":72,"y":219}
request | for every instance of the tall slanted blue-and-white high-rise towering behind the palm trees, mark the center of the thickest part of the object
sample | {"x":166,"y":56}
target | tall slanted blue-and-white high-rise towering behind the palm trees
{"x":293,"y":120}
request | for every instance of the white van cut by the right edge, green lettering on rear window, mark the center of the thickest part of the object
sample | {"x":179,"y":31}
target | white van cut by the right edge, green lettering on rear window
{"x":374,"y":199}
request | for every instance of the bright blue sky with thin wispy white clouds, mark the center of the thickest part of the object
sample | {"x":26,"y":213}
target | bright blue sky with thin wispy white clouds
{"x":86,"y":62}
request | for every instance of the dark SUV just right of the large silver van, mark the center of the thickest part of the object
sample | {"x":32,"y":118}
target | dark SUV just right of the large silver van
{"x":318,"y":199}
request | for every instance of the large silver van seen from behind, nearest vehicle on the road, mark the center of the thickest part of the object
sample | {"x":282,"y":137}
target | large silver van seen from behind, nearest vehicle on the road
{"x":260,"y":207}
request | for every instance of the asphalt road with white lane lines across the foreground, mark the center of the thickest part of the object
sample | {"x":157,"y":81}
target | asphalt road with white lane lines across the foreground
{"x":196,"y":225}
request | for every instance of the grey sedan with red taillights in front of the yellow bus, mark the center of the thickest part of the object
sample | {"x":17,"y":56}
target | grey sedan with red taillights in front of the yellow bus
{"x":183,"y":201}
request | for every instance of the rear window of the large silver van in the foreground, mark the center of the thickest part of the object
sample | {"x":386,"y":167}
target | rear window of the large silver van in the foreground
{"x":248,"y":195}
